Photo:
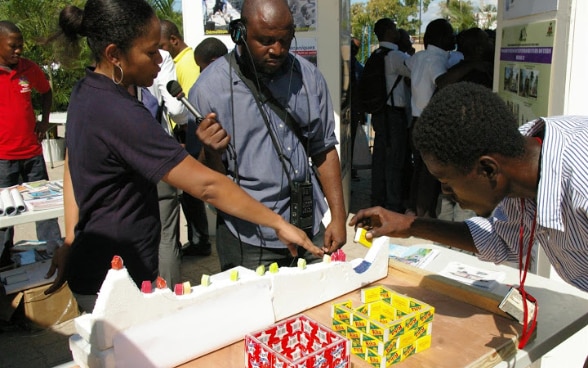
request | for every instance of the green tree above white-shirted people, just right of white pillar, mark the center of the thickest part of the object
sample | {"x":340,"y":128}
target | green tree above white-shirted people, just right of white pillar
{"x":406,"y":14}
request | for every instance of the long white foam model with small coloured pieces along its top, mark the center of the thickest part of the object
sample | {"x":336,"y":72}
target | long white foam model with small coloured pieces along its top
{"x":128,"y":328}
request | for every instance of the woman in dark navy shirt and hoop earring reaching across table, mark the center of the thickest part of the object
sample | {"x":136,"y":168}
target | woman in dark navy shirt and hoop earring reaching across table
{"x":116,"y":154}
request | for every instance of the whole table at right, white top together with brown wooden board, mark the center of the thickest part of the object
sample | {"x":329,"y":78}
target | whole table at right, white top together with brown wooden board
{"x":468,"y":329}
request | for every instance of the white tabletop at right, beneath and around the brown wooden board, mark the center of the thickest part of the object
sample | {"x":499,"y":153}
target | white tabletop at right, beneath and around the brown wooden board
{"x":563,"y":309}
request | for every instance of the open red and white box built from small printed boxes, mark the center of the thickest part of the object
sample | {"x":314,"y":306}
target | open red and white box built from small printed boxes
{"x":298,"y":342}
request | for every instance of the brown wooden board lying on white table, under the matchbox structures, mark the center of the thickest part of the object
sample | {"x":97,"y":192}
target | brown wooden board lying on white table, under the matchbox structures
{"x":463,"y":334}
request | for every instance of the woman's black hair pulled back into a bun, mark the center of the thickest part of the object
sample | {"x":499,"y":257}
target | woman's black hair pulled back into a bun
{"x":105,"y":22}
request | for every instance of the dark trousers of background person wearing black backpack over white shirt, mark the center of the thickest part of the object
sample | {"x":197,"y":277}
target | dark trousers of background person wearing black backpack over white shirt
{"x":389,"y":158}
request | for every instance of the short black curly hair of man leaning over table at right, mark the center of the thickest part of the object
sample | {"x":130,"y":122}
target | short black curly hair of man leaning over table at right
{"x":464,"y":121}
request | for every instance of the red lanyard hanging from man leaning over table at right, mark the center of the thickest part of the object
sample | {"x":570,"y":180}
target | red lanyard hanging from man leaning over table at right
{"x":523,"y":268}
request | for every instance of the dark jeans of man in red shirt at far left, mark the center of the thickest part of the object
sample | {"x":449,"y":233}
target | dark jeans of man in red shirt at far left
{"x":13,"y":172}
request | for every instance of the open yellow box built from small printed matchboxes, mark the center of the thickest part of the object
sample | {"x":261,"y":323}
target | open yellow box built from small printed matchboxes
{"x":387,"y":328}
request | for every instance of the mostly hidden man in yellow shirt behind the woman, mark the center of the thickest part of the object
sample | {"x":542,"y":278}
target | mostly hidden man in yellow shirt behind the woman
{"x":187,"y":71}
